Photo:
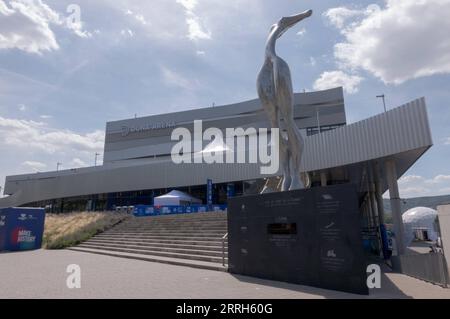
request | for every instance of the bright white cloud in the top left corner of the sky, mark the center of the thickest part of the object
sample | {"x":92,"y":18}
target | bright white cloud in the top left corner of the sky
{"x":26,"y":25}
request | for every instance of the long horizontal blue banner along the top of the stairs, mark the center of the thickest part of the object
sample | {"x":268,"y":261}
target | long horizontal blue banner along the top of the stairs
{"x":146,"y":210}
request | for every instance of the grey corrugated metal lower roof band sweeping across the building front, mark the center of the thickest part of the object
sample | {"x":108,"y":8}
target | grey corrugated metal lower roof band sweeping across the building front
{"x":399,"y":130}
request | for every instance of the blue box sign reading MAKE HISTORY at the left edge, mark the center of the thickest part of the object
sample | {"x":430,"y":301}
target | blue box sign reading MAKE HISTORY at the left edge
{"x":21,"y":228}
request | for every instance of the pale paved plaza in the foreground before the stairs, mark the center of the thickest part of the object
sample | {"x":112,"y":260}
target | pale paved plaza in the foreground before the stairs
{"x":42,"y":274}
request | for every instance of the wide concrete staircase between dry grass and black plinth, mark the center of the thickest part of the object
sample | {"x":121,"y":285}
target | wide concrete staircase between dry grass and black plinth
{"x":193,"y":240}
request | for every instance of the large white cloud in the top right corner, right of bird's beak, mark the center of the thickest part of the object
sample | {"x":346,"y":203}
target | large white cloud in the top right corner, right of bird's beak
{"x":405,"y":40}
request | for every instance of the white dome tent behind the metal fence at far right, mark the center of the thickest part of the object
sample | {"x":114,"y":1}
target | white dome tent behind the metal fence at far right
{"x":420,"y":223}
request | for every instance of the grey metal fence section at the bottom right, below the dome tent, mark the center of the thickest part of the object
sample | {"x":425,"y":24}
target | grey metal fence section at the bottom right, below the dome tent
{"x":431,"y":267}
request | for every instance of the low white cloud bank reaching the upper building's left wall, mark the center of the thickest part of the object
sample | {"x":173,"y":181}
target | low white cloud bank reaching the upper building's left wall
{"x":31,"y":135}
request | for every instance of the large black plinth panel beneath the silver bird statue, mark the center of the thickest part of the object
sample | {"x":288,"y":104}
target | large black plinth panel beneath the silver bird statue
{"x":310,"y":237}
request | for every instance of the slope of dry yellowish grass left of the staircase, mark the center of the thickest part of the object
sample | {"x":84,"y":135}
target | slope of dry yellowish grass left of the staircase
{"x":67,"y":230}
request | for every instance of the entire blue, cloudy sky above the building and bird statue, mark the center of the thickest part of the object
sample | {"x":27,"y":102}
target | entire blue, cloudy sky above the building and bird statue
{"x":63,"y":78}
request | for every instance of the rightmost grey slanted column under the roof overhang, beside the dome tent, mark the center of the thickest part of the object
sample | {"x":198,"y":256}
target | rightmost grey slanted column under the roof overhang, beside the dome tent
{"x":391,"y":178}
